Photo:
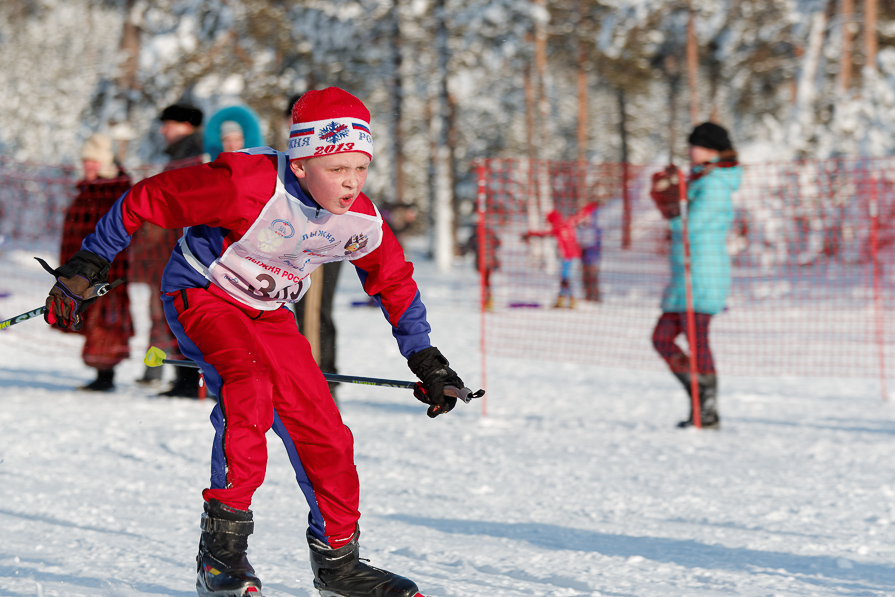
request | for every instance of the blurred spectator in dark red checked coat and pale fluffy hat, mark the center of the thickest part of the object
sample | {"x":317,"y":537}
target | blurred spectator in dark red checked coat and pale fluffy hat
{"x":107,"y":326}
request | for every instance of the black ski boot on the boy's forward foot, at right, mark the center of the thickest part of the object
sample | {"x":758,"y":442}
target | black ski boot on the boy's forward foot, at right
{"x":340,"y":573}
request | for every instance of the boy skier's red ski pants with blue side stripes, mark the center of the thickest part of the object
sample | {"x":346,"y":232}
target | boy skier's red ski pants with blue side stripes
{"x":262,"y":371}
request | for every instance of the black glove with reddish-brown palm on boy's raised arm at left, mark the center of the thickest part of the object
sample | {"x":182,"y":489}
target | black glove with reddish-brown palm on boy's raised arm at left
{"x":78,"y":284}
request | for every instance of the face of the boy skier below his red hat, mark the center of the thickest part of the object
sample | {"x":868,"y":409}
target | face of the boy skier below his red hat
{"x":333,"y":181}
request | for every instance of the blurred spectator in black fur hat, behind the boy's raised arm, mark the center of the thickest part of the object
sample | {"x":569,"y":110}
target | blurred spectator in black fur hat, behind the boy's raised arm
{"x":152,"y":245}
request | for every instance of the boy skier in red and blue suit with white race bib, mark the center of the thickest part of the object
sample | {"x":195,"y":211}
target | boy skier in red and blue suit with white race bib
{"x":259,"y":222}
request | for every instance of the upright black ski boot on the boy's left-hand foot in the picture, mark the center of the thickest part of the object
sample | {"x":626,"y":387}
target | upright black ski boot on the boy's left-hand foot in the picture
{"x":222,"y":566}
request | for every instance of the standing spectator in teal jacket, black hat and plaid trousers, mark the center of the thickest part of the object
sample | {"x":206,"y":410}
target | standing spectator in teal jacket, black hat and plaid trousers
{"x":714,"y":176}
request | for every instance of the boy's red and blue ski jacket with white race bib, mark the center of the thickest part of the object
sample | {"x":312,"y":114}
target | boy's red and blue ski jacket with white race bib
{"x":219,"y":202}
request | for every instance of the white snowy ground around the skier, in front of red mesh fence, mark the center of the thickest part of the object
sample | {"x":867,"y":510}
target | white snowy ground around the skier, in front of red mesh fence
{"x":575,"y":482}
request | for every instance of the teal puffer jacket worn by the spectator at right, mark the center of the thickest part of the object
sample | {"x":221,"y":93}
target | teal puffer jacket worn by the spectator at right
{"x":710,"y":218}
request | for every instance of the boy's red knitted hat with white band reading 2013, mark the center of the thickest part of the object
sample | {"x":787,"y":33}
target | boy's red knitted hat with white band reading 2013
{"x":329,"y":121}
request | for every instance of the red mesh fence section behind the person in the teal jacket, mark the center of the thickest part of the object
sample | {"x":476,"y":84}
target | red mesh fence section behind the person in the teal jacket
{"x":811,"y":252}
